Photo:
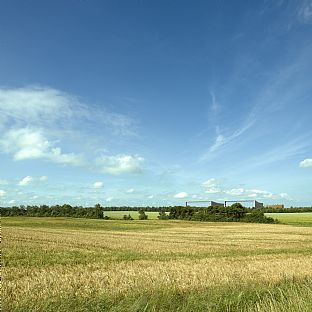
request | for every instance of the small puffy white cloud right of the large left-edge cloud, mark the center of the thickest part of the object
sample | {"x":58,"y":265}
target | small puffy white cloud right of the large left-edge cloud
{"x":120,"y":164}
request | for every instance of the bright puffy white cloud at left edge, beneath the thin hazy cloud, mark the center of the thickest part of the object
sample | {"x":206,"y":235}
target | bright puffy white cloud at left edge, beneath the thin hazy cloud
{"x":27,"y":143}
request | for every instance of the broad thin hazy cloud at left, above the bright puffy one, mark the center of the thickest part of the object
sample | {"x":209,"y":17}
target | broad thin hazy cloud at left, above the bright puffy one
{"x":46,"y":107}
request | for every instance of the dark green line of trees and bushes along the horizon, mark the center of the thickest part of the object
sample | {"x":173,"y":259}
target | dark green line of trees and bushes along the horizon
{"x":234,"y":213}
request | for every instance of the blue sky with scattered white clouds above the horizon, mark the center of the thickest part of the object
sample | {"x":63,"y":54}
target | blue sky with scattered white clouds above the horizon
{"x":155,"y":102}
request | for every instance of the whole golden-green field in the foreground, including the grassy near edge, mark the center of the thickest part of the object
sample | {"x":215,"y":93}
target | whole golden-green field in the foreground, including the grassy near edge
{"x":63,"y":264}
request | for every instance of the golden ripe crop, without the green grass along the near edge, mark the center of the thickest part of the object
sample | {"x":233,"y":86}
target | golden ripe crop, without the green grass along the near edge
{"x":42,"y":263}
